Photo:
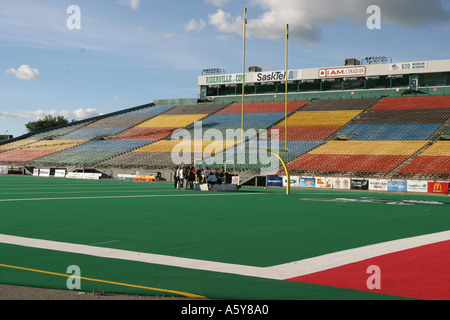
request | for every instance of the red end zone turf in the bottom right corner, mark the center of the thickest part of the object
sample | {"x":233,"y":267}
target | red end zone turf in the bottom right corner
{"x":420,"y":273}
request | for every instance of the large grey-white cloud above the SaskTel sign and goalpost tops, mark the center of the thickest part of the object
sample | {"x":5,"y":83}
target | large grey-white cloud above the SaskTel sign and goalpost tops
{"x":306,"y":18}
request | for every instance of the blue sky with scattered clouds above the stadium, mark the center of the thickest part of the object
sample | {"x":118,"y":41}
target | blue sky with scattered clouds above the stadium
{"x":132,"y":52}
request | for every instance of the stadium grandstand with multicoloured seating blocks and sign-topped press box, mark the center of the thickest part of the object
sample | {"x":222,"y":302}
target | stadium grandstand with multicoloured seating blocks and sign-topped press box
{"x":388,"y":120}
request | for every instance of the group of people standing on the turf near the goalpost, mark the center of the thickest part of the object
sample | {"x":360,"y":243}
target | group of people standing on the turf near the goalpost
{"x":187,"y":176}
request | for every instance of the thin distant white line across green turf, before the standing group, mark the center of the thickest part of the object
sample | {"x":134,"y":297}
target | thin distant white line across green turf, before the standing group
{"x":136,"y":196}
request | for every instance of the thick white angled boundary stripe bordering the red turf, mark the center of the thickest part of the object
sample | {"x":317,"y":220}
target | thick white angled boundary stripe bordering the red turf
{"x":279,"y":272}
